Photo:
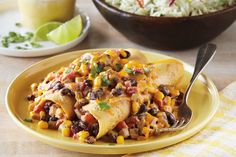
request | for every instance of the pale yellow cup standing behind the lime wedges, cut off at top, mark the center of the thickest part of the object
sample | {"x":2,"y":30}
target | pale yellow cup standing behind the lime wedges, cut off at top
{"x":35,"y":13}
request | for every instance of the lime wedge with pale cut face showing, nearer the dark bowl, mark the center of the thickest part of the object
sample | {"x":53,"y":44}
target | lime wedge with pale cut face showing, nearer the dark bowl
{"x":67,"y":31}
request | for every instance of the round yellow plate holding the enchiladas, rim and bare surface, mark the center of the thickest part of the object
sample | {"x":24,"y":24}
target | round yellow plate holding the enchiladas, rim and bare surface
{"x":204,"y":101}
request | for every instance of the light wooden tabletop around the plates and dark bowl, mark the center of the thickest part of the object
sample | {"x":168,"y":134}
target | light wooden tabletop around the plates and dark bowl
{"x":14,"y":141}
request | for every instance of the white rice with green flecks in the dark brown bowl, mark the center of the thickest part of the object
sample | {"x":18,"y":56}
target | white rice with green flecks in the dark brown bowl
{"x":171,"y":8}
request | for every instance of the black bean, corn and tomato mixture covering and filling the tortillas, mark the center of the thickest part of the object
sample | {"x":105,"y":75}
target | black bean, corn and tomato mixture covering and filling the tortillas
{"x":97,"y":78}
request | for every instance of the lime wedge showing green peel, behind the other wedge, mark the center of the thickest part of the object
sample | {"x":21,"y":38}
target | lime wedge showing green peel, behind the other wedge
{"x":42,"y":31}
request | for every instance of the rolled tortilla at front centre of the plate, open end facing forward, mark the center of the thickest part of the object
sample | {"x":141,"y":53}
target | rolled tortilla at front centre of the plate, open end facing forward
{"x":108,"y":119}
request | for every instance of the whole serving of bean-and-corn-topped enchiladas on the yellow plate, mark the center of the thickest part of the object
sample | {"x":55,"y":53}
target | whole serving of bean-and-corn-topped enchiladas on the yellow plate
{"x":111,"y":96}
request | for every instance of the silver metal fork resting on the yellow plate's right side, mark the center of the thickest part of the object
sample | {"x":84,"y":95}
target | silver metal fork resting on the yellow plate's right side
{"x":205,"y":55}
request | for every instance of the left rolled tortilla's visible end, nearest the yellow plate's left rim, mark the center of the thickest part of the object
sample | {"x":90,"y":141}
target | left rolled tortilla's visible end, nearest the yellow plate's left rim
{"x":65,"y":102}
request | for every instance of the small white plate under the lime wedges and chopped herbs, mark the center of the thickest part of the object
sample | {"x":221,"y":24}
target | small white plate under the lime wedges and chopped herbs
{"x":9,"y":16}
